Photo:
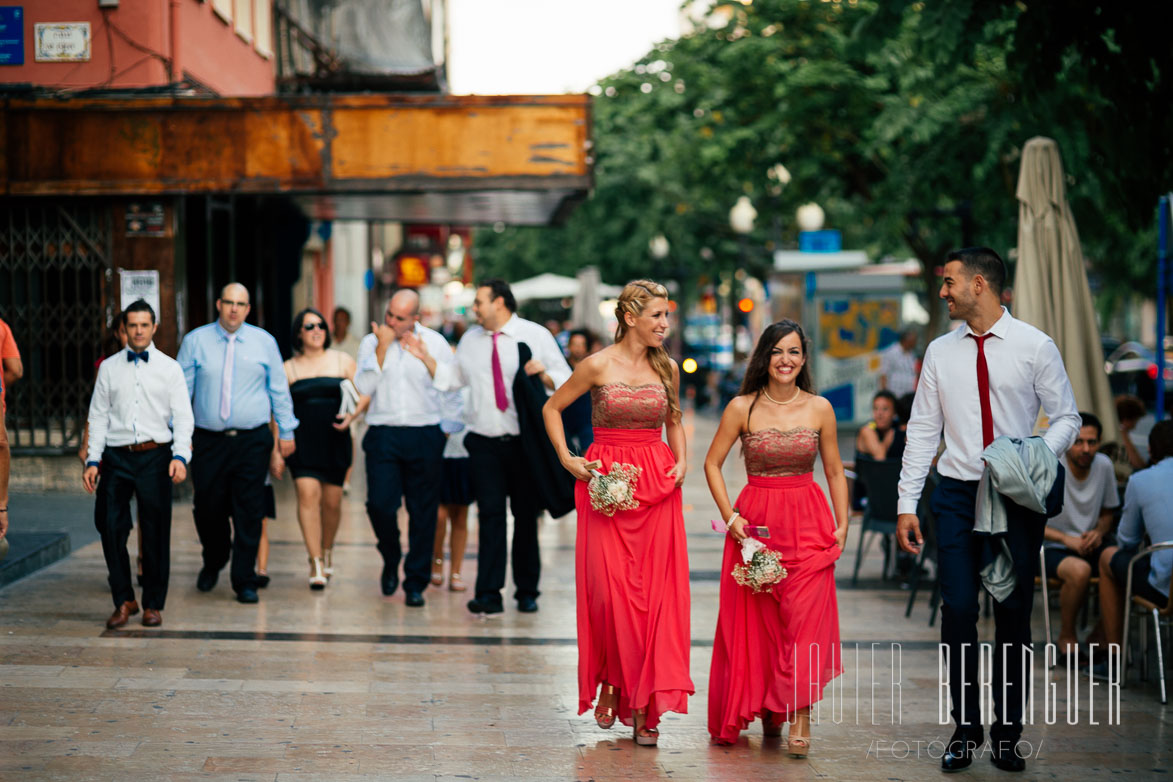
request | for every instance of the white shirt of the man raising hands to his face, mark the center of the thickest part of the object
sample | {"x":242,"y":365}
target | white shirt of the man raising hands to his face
{"x":402,"y":392}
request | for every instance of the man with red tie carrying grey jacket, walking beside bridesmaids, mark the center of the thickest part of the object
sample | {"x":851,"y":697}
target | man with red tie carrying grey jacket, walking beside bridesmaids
{"x":986,"y":379}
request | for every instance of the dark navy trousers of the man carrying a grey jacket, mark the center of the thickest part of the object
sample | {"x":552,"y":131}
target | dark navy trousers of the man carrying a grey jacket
{"x":961,"y":557}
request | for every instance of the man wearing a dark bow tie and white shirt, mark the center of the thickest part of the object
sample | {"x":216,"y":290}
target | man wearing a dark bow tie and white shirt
{"x":140,"y":444}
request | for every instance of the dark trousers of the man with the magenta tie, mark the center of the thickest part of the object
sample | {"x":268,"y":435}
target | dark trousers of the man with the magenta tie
{"x":499,"y":472}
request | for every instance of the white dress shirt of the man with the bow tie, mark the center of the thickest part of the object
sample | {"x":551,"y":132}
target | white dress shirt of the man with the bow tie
{"x":140,"y":402}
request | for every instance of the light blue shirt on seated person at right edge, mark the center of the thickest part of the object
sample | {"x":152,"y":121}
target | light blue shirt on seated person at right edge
{"x":1147,"y":509}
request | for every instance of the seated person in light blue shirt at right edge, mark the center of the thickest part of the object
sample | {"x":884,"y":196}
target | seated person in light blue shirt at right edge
{"x":1147,"y":512}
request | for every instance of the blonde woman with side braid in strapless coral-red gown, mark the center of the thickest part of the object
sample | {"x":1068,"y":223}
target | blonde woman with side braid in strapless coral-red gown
{"x":632,"y":568}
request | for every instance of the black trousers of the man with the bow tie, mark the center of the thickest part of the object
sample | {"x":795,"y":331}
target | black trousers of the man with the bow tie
{"x":144,"y":475}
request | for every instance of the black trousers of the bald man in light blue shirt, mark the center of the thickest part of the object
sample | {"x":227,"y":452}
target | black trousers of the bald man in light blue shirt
{"x":228,"y":474}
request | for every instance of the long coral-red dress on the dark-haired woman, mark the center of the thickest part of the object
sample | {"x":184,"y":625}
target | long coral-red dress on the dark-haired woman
{"x":777,"y":650}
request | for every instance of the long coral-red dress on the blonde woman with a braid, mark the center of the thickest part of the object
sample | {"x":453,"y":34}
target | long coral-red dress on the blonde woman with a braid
{"x":633,"y":568}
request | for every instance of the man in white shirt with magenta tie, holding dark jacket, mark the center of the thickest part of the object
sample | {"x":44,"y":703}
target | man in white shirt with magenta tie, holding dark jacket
{"x":487,"y":361}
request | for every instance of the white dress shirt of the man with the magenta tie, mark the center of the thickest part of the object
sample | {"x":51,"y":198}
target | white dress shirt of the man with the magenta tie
{"x":474,"y":369}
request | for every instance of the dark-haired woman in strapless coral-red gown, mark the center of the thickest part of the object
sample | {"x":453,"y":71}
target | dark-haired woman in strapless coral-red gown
{"x":777,"y":650}
